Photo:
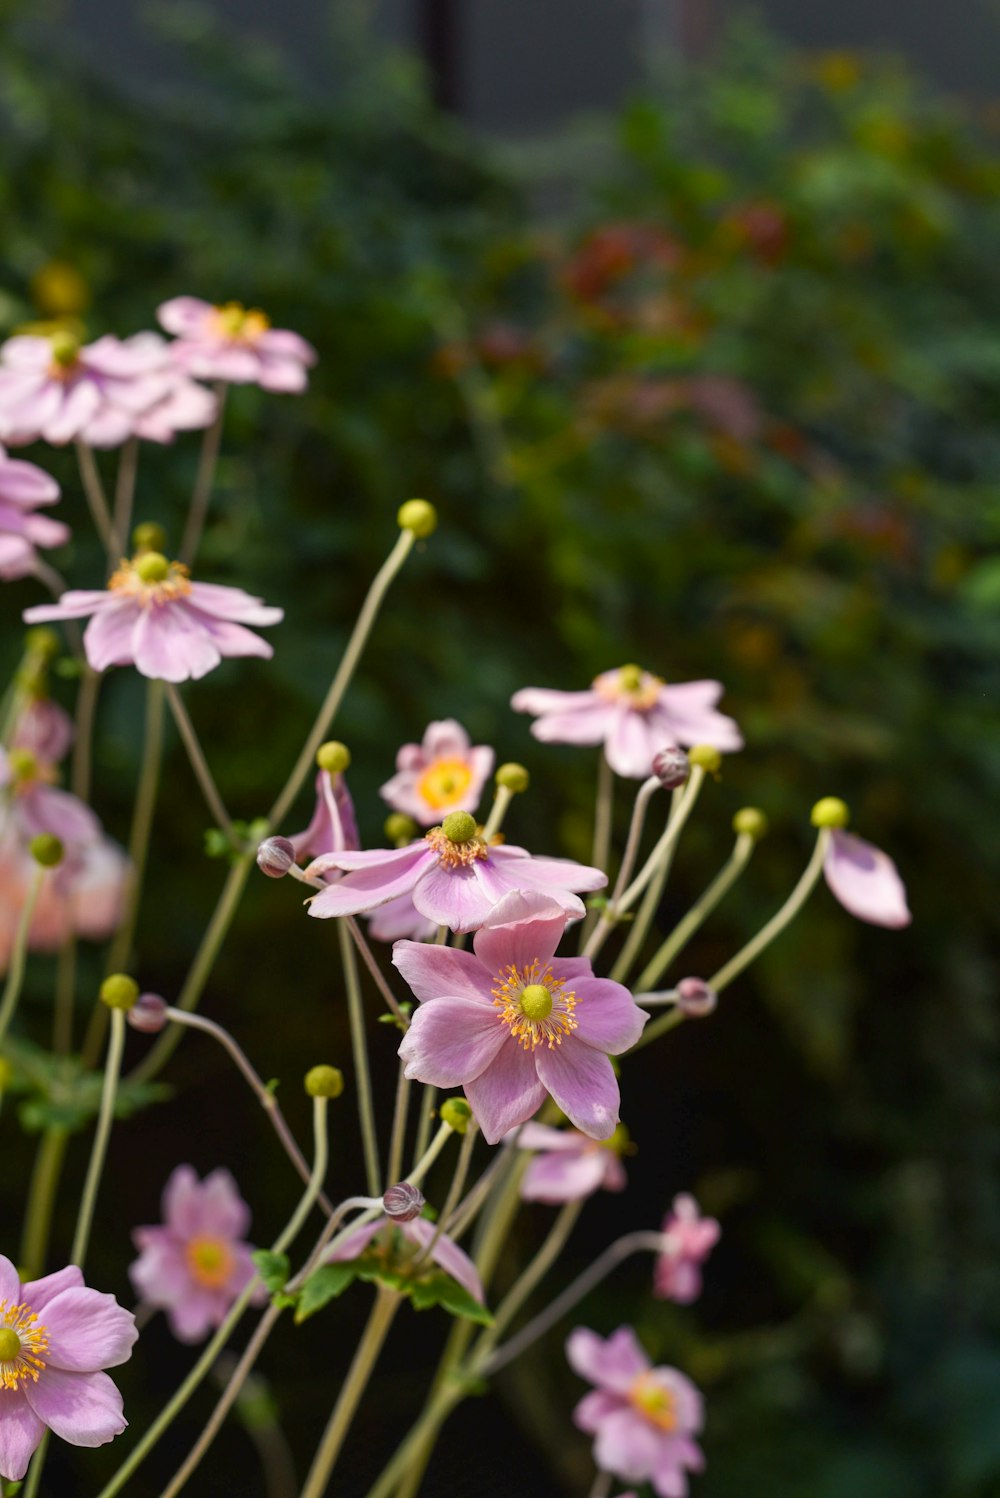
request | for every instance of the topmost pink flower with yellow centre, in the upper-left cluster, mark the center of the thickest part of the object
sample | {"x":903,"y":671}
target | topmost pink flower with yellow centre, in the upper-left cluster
{"x":236,"y":344}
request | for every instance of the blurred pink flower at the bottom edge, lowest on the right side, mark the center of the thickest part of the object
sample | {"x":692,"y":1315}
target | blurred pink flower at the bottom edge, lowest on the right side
{"x":643,"y":1418}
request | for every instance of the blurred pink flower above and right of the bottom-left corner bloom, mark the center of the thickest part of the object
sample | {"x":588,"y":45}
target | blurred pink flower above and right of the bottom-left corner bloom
{"x":198,"y":1264}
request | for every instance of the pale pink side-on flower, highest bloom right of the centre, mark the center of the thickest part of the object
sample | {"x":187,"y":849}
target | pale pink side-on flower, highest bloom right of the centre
{"x":634,"y":715}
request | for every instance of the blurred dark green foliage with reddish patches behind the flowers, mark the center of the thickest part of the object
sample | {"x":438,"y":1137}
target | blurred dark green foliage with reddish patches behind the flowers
{"x":731,"y":414}
